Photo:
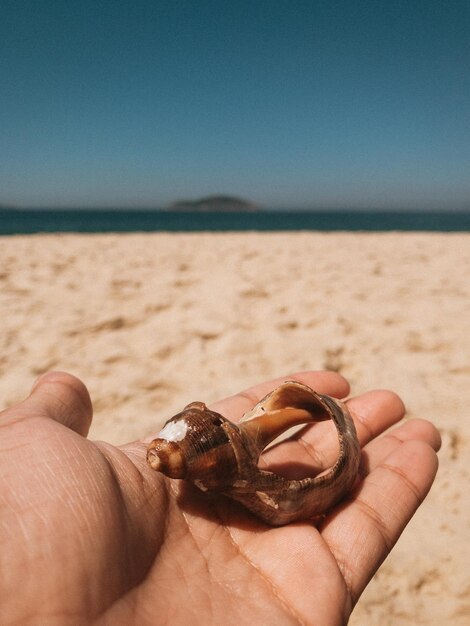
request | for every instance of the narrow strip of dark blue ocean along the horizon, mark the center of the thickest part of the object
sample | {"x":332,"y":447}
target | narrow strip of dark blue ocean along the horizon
{"x":23,"y":221}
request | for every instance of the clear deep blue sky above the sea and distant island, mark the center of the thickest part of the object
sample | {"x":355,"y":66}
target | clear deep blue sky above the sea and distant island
{"x":288,"y":103}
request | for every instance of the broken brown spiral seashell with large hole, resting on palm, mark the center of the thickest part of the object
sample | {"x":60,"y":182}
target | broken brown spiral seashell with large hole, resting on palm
{"x":219,"y":456}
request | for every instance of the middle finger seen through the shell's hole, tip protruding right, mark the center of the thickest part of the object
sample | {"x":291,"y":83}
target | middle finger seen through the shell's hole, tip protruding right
{"x":317,"y":447}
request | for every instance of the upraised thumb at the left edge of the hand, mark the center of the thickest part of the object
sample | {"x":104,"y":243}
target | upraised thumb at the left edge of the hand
{"x":58,"y":396}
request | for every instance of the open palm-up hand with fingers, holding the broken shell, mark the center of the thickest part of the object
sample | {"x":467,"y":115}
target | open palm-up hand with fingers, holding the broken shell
{"x":88,"y":532}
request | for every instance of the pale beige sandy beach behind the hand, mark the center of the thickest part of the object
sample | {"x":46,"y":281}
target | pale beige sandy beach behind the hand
{"x":153,"y":321}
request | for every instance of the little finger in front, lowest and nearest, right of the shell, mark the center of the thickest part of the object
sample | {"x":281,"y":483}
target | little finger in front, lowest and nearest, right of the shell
{"x":362,"y":532}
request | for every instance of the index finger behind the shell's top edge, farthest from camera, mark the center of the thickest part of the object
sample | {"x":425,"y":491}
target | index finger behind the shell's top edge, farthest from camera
{"x":235,"y":406}
